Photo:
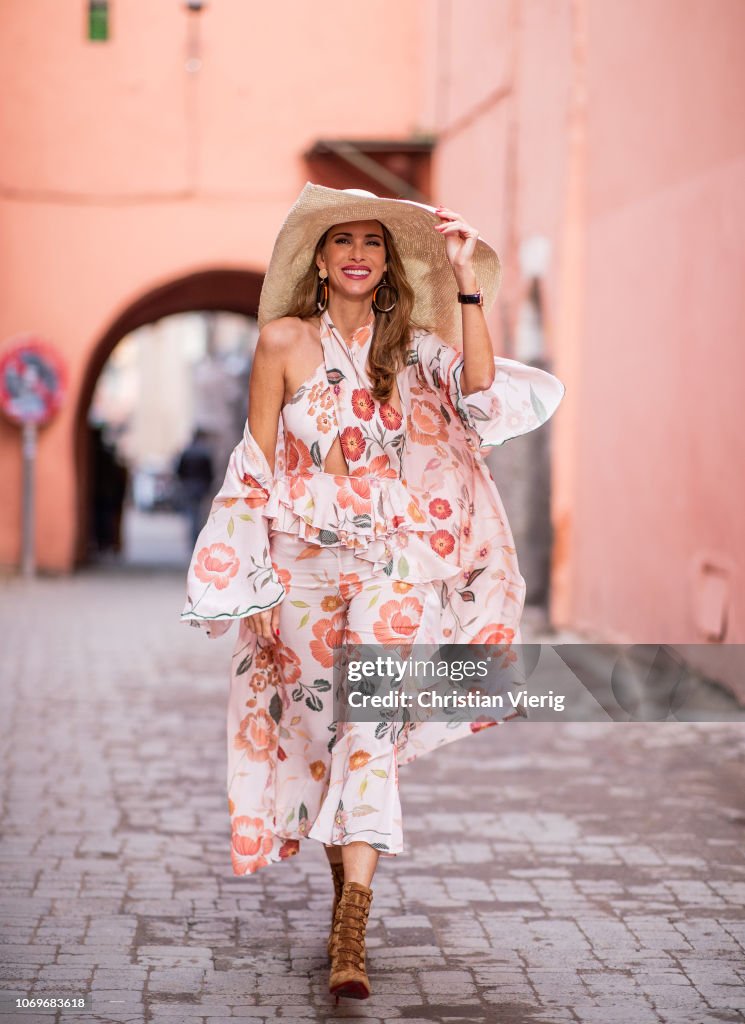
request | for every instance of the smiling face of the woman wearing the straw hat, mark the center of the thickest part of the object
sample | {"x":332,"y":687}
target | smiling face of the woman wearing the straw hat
{"x":355,"y":258}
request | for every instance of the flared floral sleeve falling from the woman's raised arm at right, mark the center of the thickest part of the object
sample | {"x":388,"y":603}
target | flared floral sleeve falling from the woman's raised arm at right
{"x":521,"y":398}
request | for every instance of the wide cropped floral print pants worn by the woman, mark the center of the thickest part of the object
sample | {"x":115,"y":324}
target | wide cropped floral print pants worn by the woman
{"x":336,"y":782}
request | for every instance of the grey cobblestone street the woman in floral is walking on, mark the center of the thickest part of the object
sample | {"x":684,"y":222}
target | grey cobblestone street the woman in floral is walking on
{"x":589,"y":873}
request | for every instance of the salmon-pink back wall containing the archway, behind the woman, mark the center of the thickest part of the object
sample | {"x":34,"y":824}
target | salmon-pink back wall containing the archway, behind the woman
{"x":121,"y":170}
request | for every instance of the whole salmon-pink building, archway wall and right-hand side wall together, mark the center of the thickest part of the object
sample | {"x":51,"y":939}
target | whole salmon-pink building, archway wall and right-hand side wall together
{"x":596,"y":145}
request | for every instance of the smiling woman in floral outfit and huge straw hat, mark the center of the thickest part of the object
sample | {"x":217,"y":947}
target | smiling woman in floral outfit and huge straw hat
{"x":359,"y":509}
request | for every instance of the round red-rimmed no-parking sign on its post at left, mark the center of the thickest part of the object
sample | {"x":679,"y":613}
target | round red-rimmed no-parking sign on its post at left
{"x":32,"y":387}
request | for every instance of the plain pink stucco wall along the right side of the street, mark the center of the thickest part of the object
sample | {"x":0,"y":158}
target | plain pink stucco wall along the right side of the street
{"x":617,"y":132}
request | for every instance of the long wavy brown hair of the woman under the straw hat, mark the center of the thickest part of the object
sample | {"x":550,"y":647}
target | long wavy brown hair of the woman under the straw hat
{"x":392,"y":331}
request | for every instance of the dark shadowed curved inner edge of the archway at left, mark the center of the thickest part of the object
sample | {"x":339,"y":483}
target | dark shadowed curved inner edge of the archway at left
{"x":231,"y":291}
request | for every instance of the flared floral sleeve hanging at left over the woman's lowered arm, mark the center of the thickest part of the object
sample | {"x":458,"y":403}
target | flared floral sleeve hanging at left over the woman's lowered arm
{"x":231,"y":575}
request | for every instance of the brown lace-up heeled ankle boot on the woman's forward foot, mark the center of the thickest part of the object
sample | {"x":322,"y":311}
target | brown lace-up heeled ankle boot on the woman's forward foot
{"x":348,"y":976}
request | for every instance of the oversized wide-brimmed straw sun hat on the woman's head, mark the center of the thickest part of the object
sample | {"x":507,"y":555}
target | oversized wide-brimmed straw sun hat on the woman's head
{"x":422,"y":250}
